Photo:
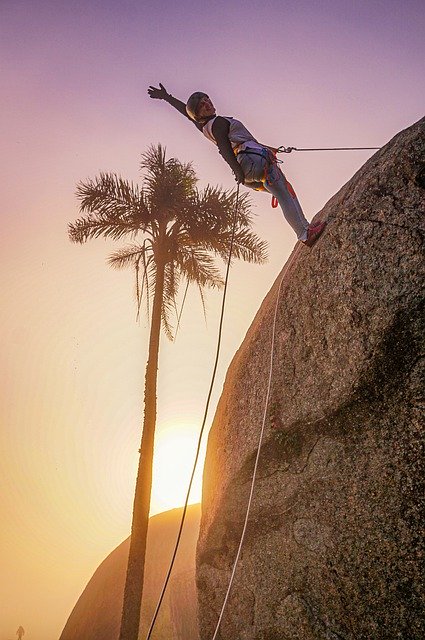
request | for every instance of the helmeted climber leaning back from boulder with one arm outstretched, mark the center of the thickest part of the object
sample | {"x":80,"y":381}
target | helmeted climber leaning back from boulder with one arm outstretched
{"x":253,"y":164}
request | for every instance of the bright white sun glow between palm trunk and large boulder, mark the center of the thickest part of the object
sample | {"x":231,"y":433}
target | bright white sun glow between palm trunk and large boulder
{"x":175,"y":450}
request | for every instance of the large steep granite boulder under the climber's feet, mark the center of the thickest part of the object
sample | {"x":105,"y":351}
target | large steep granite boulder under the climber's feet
{"x":332,"y":548}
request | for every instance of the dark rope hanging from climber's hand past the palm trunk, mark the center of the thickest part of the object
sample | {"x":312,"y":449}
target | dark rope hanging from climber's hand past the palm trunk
{"x":220,"y":329}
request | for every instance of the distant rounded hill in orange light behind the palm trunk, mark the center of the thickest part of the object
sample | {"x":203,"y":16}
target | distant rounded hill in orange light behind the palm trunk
{"x":97,"y":613}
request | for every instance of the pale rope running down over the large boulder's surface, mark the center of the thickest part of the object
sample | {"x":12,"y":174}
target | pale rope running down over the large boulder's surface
{"x":260,"y":441}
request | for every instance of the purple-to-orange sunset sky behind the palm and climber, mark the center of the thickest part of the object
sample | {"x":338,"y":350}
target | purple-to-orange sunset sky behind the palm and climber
{"x":74,"y":78}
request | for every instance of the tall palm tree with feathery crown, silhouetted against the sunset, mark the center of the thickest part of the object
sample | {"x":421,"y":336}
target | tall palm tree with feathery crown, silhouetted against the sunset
{"x":181,"y":230}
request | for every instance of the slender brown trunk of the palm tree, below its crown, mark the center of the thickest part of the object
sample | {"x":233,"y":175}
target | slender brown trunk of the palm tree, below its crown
{"x":136,"y":559}
